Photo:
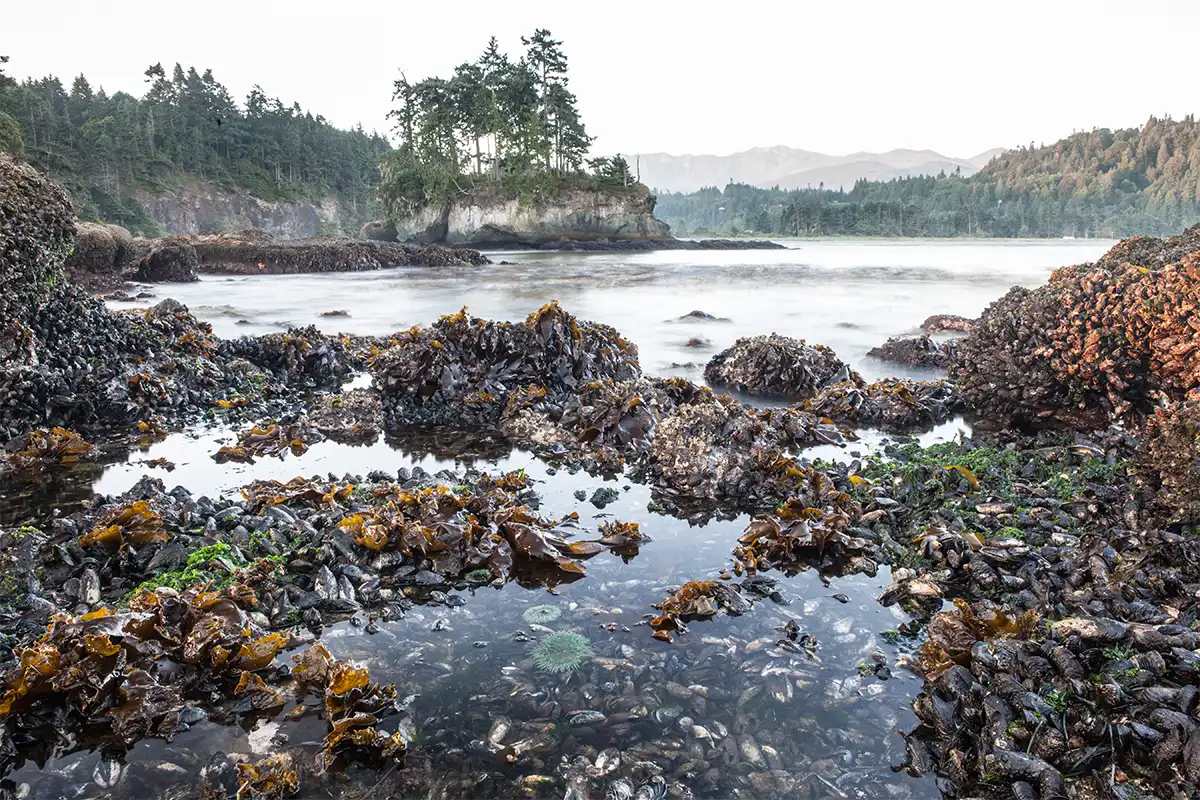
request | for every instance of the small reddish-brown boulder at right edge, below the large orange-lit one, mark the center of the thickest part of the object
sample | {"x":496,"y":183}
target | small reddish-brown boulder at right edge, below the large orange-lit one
{"x":1169,"y":461}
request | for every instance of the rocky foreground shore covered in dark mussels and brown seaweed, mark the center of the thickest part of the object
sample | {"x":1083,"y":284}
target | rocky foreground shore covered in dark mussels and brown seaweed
{"x":1065,"y":538}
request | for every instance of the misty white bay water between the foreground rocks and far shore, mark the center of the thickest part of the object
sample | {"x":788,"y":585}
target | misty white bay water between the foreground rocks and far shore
{"x":848,"y":294}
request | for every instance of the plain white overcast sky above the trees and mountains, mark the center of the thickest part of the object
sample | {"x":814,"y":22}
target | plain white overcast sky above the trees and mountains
{"x":958,"y":77}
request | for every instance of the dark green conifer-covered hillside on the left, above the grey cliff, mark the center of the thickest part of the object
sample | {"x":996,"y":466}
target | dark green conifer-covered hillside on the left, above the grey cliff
{"x":187,"y":127}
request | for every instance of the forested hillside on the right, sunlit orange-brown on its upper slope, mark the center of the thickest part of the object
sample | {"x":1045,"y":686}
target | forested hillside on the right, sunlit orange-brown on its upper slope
{"x":1102,"y":183}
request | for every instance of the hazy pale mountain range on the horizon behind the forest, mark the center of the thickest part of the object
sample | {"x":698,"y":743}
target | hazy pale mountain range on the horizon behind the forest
{"x":793,"y":169}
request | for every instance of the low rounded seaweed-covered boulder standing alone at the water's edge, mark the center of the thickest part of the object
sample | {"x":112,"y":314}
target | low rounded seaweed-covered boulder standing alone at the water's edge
{"x":778,"y":366}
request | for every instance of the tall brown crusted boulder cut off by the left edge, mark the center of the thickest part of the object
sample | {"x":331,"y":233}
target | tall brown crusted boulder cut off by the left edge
{"x":37,"y":234}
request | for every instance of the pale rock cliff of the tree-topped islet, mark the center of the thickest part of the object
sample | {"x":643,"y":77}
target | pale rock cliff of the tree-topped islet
{"x":490,"y":220}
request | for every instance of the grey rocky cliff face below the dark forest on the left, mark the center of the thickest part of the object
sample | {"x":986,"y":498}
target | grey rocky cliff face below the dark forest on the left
{"x":206,"y":208}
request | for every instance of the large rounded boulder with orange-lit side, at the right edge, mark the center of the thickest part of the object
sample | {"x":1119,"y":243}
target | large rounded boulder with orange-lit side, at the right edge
{"x":1100,"y":341}
